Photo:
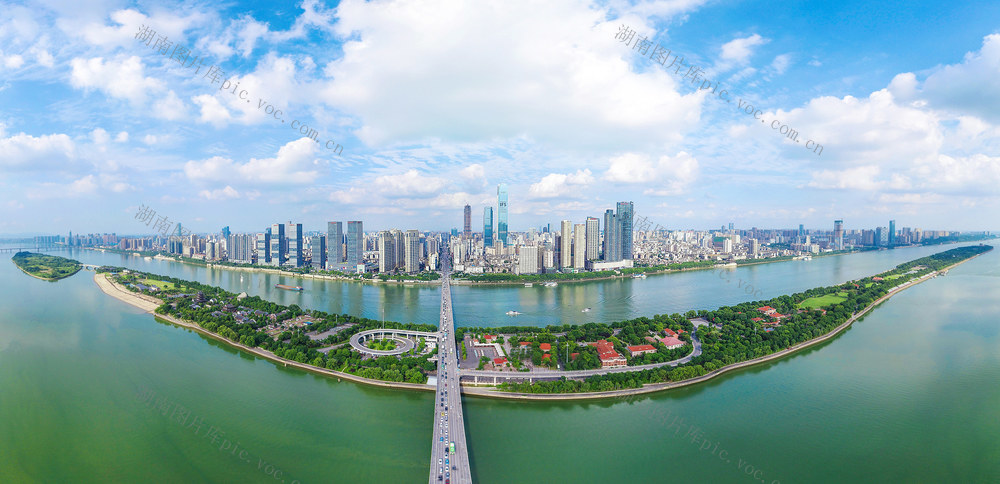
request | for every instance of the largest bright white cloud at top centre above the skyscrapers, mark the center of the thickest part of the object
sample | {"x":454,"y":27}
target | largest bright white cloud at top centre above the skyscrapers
{"x":549,"y":72}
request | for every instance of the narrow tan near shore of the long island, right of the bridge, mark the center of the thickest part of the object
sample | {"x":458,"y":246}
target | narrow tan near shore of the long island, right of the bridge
{"x":657,"y":387}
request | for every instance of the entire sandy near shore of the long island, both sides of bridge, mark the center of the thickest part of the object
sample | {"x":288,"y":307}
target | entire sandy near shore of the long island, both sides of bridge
{"x":149,"y":304}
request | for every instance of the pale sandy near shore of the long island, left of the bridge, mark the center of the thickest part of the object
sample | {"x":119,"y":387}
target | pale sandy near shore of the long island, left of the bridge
{"x":149,"y":305}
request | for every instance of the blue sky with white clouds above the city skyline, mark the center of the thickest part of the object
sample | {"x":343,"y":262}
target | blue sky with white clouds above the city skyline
{"x":436,"y":102}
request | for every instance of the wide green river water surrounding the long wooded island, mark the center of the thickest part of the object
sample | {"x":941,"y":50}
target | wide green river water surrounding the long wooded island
{"x":909,"y":393}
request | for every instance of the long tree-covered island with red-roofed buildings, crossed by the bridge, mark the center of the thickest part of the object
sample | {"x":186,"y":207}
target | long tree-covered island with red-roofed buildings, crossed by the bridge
{"x":726,"y":338}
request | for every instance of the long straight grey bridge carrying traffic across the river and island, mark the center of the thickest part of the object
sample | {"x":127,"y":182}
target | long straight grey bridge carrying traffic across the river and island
{"x":449,"y":451}
